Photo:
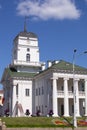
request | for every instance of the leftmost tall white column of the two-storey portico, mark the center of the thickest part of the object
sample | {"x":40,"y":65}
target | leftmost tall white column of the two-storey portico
{"x":55,"y":108}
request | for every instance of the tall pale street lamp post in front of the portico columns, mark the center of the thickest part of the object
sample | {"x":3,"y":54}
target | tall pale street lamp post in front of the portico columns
{"x":74,"y":88}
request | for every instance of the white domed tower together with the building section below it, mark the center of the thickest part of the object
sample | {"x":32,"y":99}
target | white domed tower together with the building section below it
{"x":18,"y":78}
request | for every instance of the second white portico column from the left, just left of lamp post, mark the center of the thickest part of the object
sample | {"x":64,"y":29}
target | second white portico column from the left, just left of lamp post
{"x":66,"y":100}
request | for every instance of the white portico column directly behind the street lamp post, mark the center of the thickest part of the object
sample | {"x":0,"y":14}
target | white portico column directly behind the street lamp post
{"x":76,"y":92}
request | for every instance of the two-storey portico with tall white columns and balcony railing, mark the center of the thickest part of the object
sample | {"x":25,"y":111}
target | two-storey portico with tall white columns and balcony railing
{"x":63,"y":96}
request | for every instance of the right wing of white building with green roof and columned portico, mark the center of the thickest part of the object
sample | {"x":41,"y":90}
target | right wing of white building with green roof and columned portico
{"x":54,"y":90}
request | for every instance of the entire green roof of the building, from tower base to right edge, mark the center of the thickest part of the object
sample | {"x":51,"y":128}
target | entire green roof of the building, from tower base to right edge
{"x":61,"y":67}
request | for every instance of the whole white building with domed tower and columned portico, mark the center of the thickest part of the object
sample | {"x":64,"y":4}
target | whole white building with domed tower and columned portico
{"x":29,"y":86}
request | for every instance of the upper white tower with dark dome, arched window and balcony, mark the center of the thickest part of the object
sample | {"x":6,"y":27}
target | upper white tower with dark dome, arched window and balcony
{"x":25,"y":53}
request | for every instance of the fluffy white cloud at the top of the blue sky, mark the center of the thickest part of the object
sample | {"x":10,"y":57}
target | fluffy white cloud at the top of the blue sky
{"x":48,"y":9}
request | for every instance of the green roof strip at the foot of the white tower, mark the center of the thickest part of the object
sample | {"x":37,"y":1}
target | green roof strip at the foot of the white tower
{"x":19,"y":74}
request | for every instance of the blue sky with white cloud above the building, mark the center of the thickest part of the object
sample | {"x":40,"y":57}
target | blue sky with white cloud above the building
{"x":61,"y":27}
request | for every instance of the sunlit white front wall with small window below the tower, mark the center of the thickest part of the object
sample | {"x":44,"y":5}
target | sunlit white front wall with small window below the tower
{"x":25,"y":101}
